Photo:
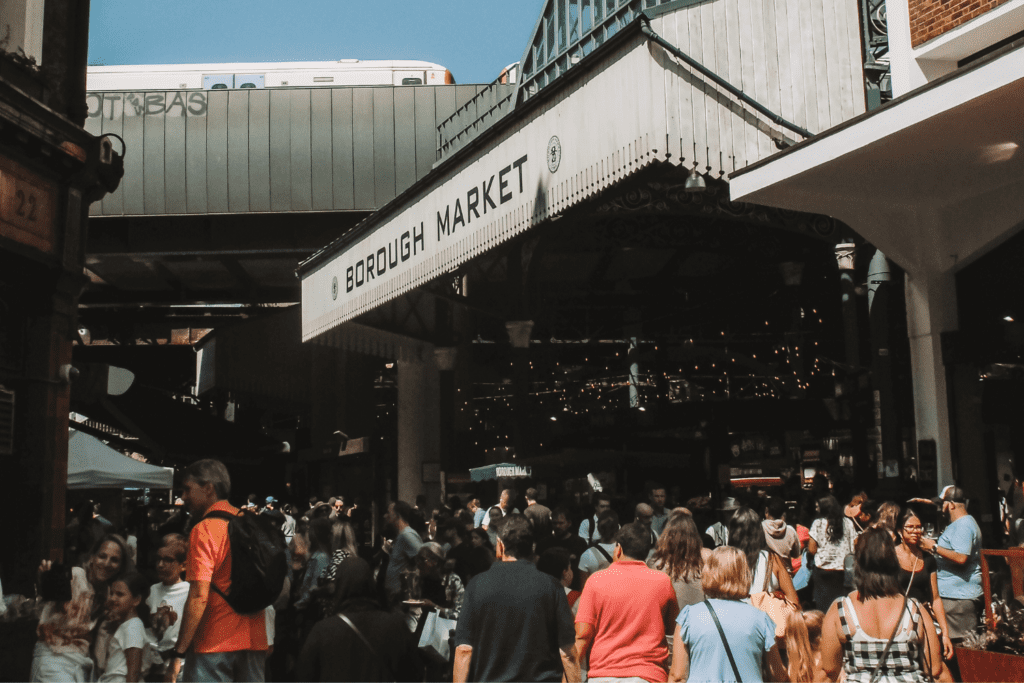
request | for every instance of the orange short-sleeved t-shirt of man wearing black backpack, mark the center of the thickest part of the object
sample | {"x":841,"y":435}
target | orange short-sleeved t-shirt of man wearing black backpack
{"x":222,"y":629}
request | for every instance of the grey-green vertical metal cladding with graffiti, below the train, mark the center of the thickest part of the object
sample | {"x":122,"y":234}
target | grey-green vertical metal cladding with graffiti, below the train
{"x":346,"y":149}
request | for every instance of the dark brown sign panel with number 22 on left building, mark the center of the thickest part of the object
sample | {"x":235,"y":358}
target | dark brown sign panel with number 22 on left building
{"x":27,"y":207}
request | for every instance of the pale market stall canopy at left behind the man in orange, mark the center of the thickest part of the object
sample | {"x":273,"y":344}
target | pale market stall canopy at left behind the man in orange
{"x":93,"y":464}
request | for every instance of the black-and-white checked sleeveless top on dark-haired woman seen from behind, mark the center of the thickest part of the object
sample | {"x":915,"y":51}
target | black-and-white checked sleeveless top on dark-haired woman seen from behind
{"x":863,"y":653}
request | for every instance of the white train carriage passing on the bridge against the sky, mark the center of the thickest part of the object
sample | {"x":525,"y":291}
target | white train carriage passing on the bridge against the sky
{"x":268,"y":75}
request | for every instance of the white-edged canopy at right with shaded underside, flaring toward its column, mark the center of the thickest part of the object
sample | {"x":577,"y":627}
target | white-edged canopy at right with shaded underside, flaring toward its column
{"x":913,"y":175}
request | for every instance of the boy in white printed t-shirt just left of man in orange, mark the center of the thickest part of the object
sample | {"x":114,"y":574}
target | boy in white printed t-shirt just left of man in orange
{"x":126,"y":612}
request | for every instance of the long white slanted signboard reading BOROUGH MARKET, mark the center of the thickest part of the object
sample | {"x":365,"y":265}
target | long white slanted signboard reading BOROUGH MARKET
{"x":542,"y":163}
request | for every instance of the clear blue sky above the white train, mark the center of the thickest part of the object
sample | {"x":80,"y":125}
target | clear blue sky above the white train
{"x":473,"y":38}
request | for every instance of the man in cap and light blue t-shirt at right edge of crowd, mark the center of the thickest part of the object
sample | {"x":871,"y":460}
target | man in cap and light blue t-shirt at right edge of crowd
{"x":958,"y":559}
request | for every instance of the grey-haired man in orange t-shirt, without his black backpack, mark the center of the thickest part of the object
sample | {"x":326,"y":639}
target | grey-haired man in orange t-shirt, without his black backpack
{"x":217,"y":643}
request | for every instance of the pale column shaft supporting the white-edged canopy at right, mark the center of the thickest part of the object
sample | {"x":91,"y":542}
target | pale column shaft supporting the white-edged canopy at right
{"x":931,"y":310}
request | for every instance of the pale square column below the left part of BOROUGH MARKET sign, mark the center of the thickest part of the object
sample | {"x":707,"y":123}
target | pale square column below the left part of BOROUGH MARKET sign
{"x":419,"y":418}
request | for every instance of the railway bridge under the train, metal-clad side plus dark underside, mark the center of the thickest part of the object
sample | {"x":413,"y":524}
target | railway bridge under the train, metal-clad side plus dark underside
{"x":227,"y":191}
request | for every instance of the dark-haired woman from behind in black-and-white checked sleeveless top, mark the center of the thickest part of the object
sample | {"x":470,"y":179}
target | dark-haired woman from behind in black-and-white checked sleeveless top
{"x":859,"y":627}
